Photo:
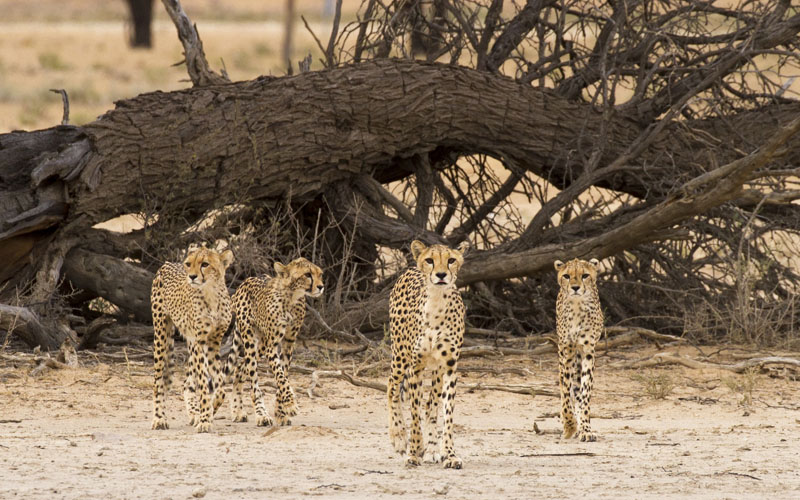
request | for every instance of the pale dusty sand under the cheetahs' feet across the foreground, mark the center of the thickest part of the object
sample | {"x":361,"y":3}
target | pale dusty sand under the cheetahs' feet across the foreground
{"x":85,"y":433}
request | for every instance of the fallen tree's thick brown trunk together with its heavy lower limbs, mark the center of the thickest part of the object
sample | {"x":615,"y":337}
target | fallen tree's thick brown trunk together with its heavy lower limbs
{"x":201,"y":148}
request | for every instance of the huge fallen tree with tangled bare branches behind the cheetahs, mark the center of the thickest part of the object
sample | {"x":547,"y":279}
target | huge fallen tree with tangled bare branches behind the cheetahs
{"x":658,"y":134}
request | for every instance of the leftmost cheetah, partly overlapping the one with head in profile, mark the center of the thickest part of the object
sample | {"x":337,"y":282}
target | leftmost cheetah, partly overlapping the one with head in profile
{"x":192,"y":297}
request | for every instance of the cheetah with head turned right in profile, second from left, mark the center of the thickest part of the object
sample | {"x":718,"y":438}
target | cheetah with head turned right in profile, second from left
{"x":268,"y":311}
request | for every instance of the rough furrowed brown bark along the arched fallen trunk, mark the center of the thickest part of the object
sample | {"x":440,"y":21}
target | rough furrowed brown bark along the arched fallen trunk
{"x":269,"y":136}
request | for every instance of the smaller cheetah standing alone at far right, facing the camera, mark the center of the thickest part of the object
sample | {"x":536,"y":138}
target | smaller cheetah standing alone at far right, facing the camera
{"x":579,"y":324}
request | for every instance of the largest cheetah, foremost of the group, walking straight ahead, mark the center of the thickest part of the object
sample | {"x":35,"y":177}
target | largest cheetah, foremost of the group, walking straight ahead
{"x":426,"y":316}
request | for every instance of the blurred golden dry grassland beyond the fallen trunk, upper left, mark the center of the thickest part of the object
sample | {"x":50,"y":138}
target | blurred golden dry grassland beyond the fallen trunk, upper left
{"x":81,"y":46}
